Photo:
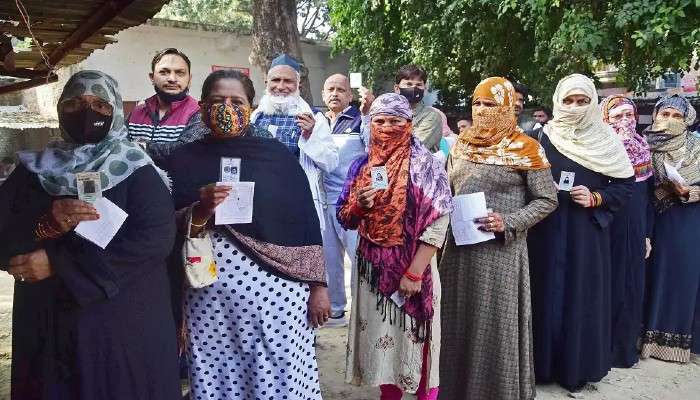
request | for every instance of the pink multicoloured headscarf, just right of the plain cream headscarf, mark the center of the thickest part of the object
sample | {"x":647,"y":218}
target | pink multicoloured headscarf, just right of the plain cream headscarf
{"x":635,"y":144}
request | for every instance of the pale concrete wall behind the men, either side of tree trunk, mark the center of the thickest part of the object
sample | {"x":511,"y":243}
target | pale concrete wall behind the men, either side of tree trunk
{"x":129,"y":60}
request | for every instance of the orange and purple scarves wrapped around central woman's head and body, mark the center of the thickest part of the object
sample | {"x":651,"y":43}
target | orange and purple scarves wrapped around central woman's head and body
{"x":418,"y":195}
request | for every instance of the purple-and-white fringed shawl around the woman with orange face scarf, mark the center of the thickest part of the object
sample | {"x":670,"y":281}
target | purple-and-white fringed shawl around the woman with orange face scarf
{"x":428,"y":199}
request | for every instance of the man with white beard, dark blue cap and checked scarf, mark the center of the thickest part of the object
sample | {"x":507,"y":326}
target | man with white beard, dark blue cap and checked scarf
{"x":291,"y":120}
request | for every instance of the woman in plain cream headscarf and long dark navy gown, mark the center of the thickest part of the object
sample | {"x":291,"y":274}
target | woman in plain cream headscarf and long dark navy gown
{"x":570,"y":260}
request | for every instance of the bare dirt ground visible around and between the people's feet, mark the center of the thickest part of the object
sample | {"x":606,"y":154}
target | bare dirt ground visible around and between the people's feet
{"x":652,"y":380}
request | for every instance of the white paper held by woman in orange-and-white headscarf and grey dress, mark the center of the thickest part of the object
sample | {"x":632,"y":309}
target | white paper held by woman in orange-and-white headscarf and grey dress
{"x":467,"y":208}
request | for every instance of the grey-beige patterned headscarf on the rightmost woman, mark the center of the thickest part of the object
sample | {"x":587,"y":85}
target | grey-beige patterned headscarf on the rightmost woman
{"x":671,"y":143}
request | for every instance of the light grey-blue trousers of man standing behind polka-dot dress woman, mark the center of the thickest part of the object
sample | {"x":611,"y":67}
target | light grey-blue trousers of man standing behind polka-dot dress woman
{"x":336,"y":242}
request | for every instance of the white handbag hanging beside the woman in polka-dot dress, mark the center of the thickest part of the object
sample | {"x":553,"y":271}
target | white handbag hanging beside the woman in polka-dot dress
{"x":198,"y":258}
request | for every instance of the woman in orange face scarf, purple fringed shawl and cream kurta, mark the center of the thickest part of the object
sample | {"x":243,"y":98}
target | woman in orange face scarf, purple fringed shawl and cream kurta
{"x":394,"y":339}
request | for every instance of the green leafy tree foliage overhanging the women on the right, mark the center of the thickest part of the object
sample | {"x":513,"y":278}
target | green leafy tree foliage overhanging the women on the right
{"x":536,"y":42}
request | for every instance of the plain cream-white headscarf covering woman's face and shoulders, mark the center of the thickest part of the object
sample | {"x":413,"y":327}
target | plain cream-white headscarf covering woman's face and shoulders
{"x":580,"y":134}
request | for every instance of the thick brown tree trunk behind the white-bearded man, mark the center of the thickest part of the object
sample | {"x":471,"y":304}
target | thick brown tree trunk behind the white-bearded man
{"x":275,"y":32}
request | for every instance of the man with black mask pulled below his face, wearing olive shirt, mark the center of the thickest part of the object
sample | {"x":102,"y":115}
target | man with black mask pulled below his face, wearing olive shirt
{"x":427,"y":123}
